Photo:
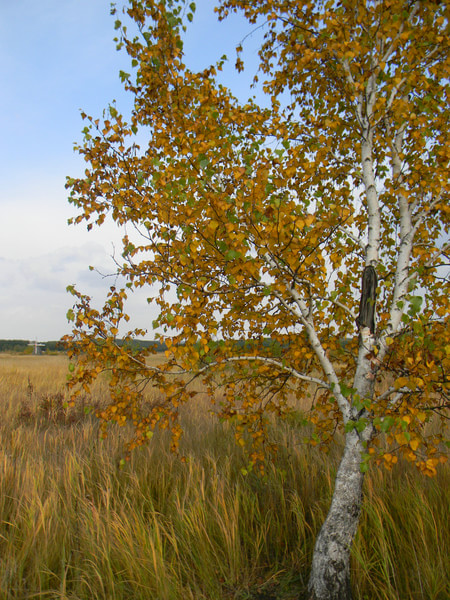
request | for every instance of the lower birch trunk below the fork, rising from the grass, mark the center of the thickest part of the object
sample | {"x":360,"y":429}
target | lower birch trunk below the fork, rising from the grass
{"x":330,"y":573}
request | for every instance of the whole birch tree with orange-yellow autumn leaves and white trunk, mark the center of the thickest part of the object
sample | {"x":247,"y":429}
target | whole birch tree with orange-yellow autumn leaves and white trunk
{"x":304,"y":244}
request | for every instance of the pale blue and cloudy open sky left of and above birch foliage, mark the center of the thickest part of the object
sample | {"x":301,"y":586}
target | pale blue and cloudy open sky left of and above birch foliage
{"x":57,"y":57}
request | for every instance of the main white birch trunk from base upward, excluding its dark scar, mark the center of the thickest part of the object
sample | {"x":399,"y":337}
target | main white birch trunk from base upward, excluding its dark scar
{"x":330,"y":573}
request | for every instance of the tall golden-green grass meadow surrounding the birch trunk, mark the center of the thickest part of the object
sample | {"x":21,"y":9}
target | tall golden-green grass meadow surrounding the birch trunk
{"x":75,"y":525}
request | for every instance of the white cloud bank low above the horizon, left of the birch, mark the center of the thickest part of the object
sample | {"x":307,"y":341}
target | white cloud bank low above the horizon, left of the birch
{"x":33,"y":297}
